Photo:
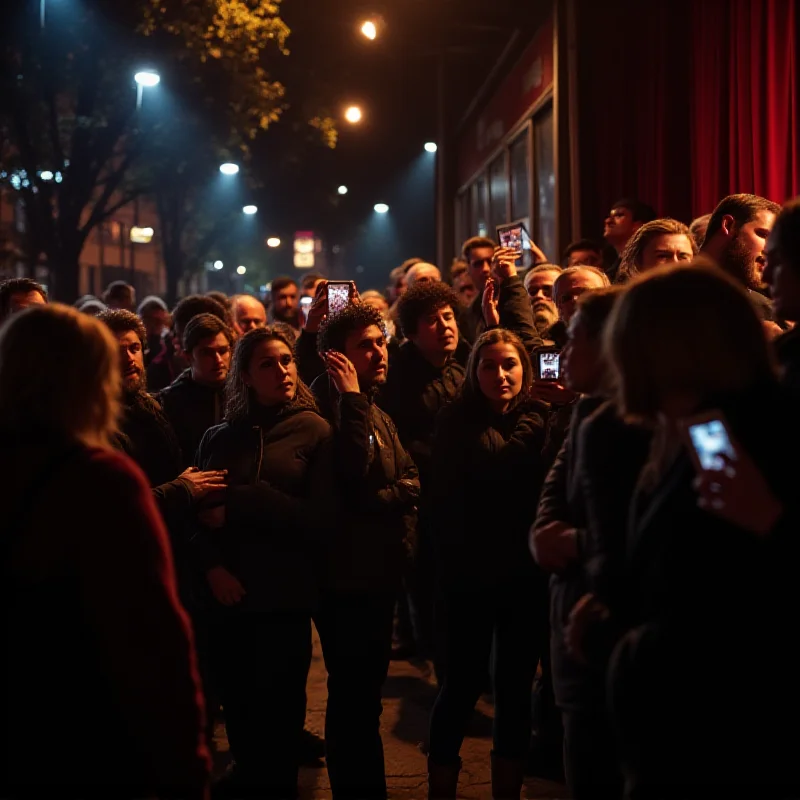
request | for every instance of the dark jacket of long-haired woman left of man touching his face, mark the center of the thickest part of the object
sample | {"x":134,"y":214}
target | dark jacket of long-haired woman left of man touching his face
{"x":278,"y":505}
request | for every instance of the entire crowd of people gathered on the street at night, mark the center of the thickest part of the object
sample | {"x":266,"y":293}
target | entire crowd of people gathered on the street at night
{"x":578,"y":473}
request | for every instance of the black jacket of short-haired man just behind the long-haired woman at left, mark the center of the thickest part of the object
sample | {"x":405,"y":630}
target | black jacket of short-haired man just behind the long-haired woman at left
{"x":191,"y":409}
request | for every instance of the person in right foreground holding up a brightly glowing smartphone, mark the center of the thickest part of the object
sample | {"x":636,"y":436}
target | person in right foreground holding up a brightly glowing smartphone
{"x":708,"y":596}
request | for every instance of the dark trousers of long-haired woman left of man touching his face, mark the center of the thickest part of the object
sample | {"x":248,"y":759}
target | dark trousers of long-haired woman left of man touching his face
{"x":261,"y":662}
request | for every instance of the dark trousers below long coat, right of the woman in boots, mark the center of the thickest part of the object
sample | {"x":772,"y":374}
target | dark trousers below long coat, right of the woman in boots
{"x":591,"y":762}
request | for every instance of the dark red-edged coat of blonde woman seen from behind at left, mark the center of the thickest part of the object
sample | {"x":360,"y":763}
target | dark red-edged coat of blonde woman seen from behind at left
{"x":100,"y":694}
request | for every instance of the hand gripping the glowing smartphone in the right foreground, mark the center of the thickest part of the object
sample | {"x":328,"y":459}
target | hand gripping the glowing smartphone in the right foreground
{"x":739,"y":494}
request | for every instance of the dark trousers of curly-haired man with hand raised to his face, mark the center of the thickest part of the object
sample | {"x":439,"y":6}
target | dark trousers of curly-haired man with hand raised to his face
{"x":355,"y":630}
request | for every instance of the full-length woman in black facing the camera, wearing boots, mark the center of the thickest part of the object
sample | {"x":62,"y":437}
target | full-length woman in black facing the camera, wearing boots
{"x":486,"y":475}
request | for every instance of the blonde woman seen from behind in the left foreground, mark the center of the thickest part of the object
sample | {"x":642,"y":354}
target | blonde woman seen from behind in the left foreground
{"x":100,"y":694}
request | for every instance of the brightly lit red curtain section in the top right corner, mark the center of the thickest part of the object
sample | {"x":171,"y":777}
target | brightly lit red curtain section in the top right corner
{"x":745,"y":129}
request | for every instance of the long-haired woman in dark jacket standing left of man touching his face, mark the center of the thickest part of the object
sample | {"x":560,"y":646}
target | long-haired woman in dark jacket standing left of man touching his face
{"x":259,"y":552}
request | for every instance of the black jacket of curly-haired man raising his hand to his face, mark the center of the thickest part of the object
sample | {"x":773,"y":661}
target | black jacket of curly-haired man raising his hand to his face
{"x":379,"y":488}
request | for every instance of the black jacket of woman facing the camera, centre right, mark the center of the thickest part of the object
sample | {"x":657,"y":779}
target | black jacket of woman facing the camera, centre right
{"x":486,"y":477}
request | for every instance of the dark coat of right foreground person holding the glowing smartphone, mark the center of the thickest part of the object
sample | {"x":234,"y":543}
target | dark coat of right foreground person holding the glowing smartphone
{"x":709,"y":604}
